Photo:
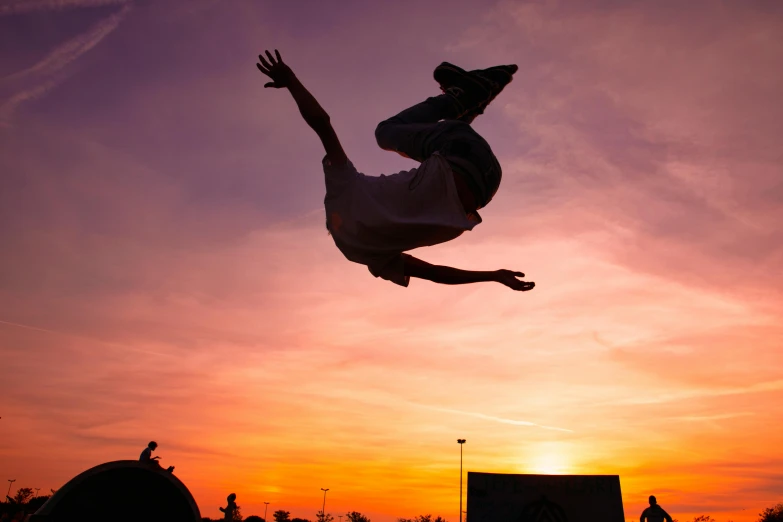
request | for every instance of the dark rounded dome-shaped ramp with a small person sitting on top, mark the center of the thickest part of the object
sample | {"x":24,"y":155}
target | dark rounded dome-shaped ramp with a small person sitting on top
{"x":124,"y":490}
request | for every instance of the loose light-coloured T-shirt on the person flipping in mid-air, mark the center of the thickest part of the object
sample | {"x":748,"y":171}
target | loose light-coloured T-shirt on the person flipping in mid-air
{"x":374,"y":219}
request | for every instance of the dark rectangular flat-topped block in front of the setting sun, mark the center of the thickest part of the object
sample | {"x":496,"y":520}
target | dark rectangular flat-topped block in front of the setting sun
{"x":501,"y":497}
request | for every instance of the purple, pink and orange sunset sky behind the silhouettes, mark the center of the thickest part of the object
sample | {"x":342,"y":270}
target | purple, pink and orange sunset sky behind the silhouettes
{"x":165,"y":272}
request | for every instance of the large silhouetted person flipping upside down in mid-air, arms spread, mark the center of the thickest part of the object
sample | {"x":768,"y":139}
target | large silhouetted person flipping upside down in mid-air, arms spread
{"x":374,"y":220}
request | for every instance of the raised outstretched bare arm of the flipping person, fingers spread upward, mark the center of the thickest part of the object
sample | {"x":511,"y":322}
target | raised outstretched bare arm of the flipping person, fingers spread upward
{"x":314,"y":115}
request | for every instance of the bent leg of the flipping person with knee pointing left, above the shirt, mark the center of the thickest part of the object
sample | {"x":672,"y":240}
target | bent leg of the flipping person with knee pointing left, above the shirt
{"x":416,"y":132}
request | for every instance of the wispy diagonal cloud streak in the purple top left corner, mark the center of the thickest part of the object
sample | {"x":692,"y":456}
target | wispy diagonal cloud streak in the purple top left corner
{"x":52,"y":67}
